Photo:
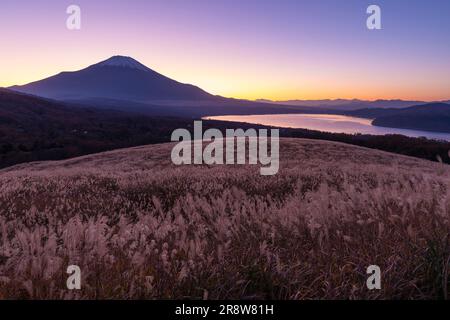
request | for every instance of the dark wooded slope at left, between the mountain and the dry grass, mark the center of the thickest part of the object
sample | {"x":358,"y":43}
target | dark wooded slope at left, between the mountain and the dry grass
{"x":33,"y":128}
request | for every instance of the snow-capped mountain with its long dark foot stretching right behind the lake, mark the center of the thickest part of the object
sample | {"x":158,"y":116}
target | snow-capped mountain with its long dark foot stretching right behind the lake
{"x":122,"y":83}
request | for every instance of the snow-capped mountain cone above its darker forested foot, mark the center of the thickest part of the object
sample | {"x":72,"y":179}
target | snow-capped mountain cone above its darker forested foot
{"x":120,"y":78}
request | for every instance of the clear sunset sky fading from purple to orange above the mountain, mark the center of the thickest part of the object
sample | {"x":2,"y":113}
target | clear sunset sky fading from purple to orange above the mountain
{"x":277,"y":49}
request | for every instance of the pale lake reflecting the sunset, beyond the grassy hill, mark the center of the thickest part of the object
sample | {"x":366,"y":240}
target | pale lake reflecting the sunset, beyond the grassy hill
{"x":329,"y":123}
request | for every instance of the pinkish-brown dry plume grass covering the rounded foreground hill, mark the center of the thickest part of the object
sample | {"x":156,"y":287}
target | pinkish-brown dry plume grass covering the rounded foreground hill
{"x":141,"y":228}
